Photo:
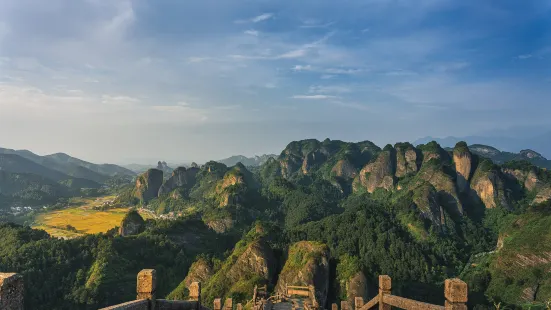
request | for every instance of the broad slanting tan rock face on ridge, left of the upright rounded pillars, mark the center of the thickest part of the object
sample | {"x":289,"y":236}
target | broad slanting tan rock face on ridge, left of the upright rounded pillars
{"x":378,"y":174}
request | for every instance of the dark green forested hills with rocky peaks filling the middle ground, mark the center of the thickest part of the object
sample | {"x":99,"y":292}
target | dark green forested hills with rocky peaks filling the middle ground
{"x":333,"y":212}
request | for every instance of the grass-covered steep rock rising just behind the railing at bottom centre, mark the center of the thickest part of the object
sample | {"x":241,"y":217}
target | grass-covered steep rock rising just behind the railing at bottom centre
{"x":307,"y":264}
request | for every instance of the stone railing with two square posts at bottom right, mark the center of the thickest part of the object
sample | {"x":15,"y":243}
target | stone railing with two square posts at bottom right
{"x":455,"y":292}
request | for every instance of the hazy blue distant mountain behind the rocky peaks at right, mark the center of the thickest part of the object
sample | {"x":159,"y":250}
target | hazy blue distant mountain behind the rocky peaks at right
{"x":526,"y":140}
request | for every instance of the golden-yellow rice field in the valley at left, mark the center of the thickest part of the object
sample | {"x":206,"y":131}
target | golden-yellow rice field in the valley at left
{"x":83,"y":218}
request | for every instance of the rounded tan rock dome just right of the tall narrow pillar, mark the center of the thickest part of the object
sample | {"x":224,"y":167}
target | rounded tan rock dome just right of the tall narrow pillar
{"x":488,"y":184}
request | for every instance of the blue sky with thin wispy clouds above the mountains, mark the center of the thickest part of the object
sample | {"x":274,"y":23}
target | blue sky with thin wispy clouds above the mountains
{"x":139,"y":81}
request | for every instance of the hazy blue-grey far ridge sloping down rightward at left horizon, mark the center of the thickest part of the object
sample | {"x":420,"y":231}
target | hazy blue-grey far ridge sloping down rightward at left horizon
{"x":71,"y":166}
